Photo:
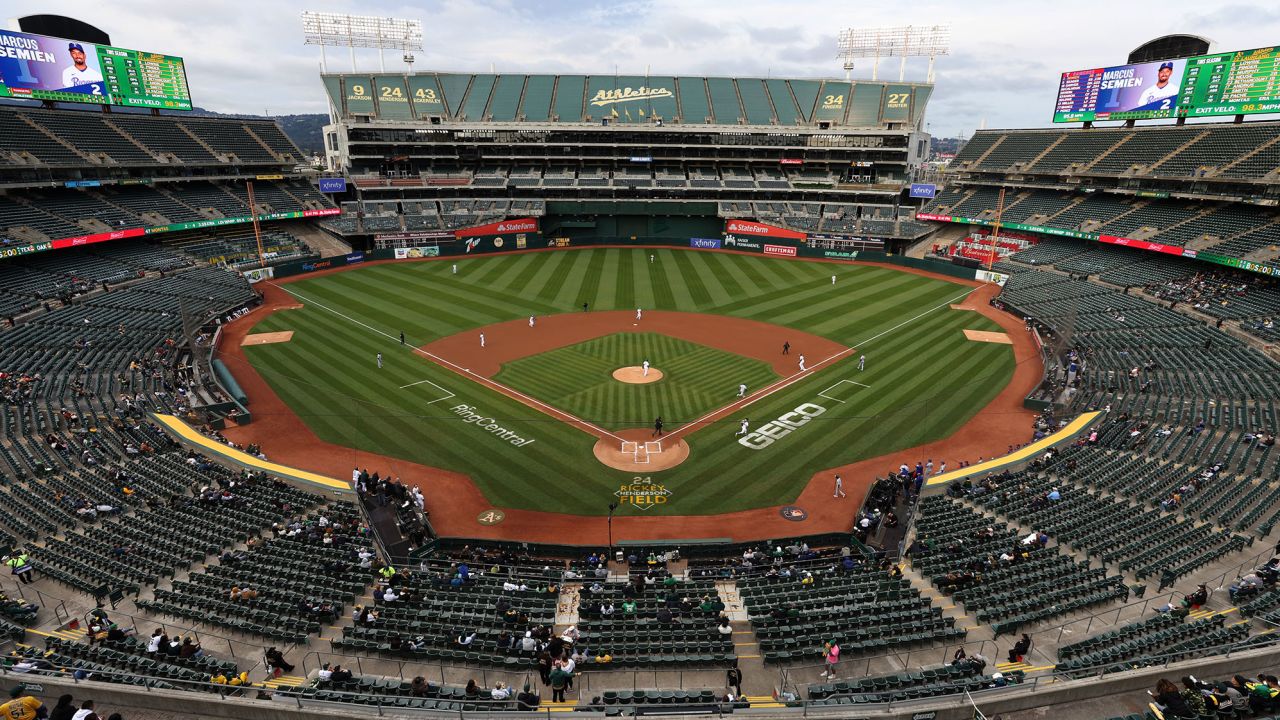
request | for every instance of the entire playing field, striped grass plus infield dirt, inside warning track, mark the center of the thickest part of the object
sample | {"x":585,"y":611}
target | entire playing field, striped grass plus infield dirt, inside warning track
{"x":525,"y":414}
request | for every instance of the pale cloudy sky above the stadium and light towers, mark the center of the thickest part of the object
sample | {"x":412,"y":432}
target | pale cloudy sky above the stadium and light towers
{"x":1003,"y":71}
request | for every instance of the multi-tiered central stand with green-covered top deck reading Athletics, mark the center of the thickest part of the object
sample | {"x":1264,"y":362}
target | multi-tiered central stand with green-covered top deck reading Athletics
{"x":624,"y":157}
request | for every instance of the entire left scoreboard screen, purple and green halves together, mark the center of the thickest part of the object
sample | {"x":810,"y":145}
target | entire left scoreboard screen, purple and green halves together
{"x":39,"y":67}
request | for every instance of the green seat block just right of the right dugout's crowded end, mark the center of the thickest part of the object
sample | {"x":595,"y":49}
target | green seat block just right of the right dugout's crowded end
{"x":957,"y":548}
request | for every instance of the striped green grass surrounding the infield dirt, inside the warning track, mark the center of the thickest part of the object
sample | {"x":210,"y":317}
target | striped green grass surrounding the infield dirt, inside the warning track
{"x":926,"y":379}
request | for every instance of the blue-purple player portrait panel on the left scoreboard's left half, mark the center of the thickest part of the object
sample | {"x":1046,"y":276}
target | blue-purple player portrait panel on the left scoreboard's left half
{"x":48,"y":69}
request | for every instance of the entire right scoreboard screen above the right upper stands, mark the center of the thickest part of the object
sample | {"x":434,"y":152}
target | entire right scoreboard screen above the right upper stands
{"x":1224,"y":84}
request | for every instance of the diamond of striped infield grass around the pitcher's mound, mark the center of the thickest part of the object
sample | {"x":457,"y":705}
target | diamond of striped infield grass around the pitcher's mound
{"x":579,"y":379}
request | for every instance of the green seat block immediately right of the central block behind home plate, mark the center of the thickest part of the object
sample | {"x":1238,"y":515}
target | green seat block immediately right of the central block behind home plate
{"x":865,"y":609}
